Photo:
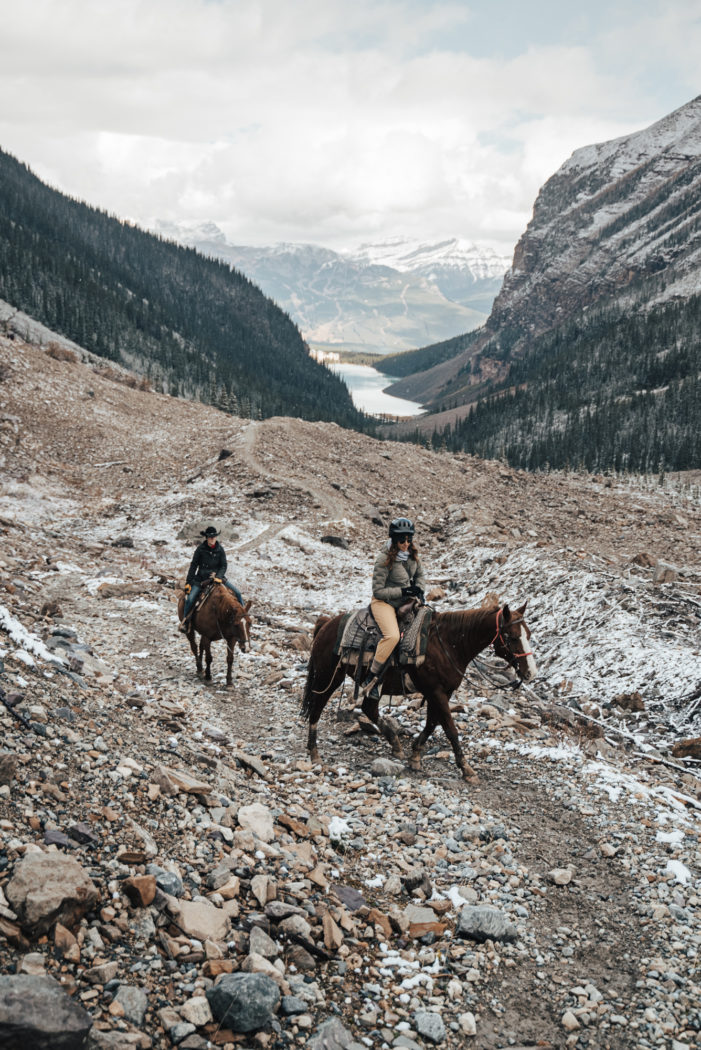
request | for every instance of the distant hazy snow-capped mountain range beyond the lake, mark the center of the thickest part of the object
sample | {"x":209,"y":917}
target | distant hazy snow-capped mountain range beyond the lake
{"x":378,"y":300}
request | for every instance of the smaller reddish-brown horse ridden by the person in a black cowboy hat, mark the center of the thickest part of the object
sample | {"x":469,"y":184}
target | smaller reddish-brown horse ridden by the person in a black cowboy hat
{"x":221,"y":616}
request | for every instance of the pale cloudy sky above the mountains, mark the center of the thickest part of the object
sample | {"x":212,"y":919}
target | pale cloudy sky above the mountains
{"x":335,"y":122}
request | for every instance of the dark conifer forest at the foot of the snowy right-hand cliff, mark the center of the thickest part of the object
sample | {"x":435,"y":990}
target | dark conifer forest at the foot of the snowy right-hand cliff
{"x":614,"y":390}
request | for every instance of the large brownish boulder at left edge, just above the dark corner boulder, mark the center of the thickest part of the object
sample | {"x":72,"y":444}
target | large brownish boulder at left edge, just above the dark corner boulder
{"x":47,"y":888}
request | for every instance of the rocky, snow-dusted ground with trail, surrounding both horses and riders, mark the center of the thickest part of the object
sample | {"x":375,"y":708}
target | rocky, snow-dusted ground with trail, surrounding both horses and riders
{"x":174,"y":872}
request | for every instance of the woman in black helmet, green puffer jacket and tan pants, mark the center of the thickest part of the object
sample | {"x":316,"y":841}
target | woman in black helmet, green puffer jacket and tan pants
{"x":397,"y":578}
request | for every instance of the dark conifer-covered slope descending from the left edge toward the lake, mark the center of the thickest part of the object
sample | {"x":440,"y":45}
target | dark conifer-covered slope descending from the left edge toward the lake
{"x":193,"y":326}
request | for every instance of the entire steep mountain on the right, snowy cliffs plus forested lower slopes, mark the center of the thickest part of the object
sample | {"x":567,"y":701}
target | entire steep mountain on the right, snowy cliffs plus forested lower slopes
{"x":593,"y":342}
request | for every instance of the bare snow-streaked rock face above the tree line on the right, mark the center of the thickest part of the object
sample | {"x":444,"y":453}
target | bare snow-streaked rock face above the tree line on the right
{"x":615,"y":218}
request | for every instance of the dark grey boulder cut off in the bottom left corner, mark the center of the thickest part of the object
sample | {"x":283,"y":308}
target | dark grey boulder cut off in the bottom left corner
{"x":36,"y":1013}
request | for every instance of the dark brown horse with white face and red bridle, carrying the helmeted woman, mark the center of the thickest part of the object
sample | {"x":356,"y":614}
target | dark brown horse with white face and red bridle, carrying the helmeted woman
{"x":455,"y":639}
